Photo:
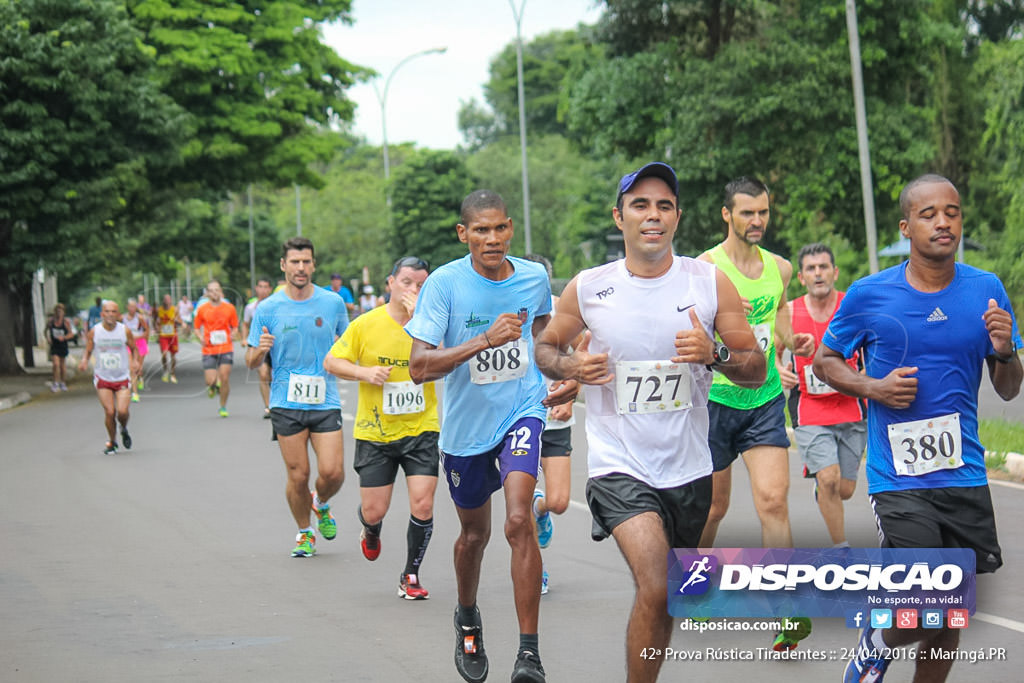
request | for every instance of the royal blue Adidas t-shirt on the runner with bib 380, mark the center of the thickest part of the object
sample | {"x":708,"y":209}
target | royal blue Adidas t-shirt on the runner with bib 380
{"x":944,"y":335}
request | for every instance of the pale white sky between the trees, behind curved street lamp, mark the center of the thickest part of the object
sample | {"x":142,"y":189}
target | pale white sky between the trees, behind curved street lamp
{"x":425,"y":94}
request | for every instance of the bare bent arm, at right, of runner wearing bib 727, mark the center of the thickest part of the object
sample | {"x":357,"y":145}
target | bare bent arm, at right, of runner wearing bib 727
{"x":747,"y":366}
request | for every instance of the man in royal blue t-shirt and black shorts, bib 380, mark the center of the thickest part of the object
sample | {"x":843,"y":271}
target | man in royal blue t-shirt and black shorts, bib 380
{"x":929,"y":327}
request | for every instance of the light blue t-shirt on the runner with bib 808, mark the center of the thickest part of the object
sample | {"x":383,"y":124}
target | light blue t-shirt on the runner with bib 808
{"x":456,"y":305}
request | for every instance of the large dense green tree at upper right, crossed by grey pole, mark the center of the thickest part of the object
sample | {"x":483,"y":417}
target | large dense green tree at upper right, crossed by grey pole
{"x":772,"y":100}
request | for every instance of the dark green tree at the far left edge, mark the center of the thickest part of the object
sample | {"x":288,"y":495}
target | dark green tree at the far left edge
{"x":84,"y":127}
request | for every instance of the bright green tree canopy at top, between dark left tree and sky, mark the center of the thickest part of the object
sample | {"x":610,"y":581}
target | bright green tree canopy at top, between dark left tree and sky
{"x":258,"y":82}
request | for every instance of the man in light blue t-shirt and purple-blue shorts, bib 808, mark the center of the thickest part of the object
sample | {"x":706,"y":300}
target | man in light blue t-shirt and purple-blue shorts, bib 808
{"x":475,"y":326}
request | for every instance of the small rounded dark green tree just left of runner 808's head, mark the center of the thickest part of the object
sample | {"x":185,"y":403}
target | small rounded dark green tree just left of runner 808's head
{"x":428,"y":194}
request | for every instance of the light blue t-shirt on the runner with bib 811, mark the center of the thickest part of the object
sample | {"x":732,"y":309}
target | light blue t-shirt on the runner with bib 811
{"x":304,"y":333}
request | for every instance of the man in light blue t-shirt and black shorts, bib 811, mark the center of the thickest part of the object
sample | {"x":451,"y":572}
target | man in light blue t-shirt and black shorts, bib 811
{"x":297,"y":326}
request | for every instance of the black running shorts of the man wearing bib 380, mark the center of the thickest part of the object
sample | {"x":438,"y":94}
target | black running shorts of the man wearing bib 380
{"x":952,"y":518}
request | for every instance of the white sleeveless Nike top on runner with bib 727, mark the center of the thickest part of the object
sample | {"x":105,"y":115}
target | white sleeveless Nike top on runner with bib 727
{"x":636,"y":320}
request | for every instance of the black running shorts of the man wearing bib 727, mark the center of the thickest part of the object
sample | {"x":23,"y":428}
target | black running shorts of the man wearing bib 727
{"x":616,"y":498}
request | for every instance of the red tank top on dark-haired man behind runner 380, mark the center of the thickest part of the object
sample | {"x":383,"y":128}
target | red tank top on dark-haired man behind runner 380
{"x":820,"y":404}
